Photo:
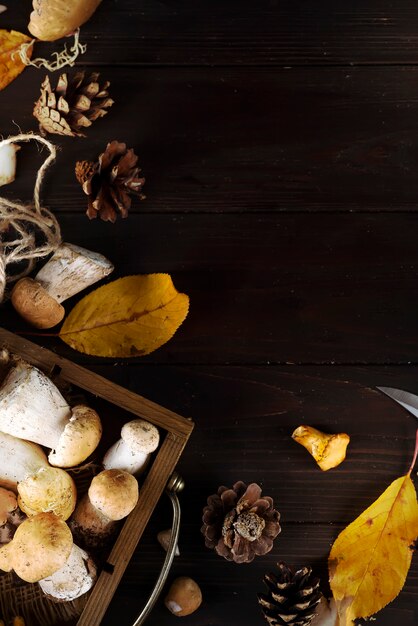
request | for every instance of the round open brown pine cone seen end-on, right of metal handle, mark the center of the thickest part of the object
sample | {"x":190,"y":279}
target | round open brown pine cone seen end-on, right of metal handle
{"x":240,"y":524}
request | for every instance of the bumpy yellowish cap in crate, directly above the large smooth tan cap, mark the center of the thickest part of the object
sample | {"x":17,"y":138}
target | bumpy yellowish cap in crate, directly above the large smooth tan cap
{"x":50,"y":489}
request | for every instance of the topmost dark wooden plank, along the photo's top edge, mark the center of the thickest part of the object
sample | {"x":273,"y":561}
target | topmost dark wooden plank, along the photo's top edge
{"x":243,"y":32}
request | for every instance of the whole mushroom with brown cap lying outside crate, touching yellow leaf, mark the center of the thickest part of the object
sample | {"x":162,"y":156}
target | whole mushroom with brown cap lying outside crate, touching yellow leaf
{"x":70,"y":270}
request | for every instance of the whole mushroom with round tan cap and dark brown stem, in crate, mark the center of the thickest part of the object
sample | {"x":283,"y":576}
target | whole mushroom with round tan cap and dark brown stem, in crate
{"x":112,"y":495}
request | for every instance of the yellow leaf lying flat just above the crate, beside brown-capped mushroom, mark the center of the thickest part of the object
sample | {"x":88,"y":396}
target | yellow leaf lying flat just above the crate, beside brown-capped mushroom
{"x":131,"y":316}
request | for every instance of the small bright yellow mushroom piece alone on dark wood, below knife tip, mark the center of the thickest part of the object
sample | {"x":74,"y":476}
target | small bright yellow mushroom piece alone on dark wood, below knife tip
{"x":327,"y":450}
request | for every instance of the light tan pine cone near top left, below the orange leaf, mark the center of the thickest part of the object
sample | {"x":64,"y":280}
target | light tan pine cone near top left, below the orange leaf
{"x":72,"y":105}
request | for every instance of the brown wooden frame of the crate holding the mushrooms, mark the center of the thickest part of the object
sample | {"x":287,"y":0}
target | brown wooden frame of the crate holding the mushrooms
{"x":177,"y":431}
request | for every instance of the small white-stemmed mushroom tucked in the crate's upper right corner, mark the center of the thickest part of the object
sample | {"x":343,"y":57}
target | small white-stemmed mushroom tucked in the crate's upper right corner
{"x":132,"y":451}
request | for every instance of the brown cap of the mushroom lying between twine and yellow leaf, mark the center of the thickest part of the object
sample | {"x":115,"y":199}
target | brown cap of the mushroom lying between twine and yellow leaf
{"x":35,"y":305}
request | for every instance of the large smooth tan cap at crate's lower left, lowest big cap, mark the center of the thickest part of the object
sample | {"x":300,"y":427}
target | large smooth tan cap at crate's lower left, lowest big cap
{"x":40,"y":547}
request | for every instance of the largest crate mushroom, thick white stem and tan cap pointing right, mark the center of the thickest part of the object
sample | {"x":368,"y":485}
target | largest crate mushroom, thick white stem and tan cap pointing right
{"x":32,"y":408}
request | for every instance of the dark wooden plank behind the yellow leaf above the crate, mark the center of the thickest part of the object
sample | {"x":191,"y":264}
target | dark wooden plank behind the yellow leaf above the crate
{"x":280,"y":288}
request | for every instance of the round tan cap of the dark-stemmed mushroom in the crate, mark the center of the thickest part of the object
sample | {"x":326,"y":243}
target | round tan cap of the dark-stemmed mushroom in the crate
{"x":114,"y":493}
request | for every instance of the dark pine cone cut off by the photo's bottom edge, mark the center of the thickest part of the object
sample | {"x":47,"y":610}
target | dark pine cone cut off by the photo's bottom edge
{"x":292,"y":597}
